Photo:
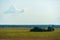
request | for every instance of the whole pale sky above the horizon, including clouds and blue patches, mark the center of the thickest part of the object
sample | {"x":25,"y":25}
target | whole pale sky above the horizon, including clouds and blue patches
{"x":29,"y":12}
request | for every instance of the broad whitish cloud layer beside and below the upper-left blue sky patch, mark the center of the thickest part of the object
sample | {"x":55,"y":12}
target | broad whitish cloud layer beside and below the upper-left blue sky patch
{"x":35,"y":12}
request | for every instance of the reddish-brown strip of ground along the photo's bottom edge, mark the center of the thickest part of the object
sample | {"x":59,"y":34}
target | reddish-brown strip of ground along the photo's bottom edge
{"x":28,"y":38}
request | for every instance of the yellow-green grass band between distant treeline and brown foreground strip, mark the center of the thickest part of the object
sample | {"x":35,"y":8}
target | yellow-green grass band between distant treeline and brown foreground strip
{"x":25,"y":32}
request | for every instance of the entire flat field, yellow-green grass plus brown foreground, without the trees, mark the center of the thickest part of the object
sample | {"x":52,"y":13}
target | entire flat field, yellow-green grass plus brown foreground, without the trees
{"x":24,"y":34}
